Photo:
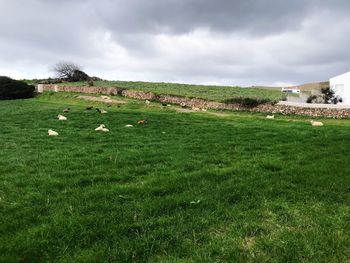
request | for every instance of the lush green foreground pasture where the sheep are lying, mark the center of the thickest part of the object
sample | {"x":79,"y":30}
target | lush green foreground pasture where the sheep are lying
{"x":184,"y":188}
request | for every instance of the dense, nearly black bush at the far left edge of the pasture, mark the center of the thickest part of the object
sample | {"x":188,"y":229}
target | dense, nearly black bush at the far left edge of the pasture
{"x":13,"y":89}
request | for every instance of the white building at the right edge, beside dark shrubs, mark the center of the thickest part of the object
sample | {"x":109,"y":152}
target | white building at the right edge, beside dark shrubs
{"x":341,"y":86}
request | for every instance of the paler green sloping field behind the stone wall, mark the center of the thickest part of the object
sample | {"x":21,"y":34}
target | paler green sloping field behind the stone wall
{"x":214,"y":93}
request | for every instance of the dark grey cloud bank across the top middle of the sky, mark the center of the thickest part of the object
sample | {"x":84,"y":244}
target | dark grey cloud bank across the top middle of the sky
{"x":180,"y":16}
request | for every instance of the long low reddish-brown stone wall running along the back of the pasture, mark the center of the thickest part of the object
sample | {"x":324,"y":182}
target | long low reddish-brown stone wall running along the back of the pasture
{"x":201,"y":103}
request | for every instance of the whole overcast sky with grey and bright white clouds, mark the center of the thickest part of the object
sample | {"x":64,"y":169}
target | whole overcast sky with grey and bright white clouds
{"x":232,"y":42}
